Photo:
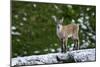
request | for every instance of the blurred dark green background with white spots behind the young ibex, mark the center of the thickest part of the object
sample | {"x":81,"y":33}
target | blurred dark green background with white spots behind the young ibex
{"x":33,"y":30}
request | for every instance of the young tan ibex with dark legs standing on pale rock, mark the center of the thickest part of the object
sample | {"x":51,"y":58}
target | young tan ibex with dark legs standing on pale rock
{"x":66,"y":31}
